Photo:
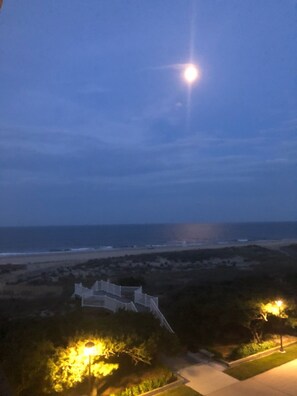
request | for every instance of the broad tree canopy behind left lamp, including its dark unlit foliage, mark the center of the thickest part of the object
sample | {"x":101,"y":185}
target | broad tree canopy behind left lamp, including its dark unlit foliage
{"x":46,"y":355}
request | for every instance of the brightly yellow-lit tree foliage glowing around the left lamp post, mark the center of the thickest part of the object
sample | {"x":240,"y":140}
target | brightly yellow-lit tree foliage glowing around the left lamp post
{"x":68,"y":366}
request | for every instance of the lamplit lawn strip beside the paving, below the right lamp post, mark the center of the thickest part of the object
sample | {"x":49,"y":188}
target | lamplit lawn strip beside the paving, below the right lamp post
{"x":258,"y":366}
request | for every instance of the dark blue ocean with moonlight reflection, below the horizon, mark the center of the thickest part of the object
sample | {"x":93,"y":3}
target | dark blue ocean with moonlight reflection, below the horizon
{"x":31,"y":240}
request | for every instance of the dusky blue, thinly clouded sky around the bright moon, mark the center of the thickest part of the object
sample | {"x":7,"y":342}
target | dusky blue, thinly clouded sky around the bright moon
{"x":96,"y":126}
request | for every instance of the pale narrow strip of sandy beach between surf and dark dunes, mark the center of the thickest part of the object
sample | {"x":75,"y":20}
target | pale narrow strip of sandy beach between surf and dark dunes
{"x":49,"y":260}
